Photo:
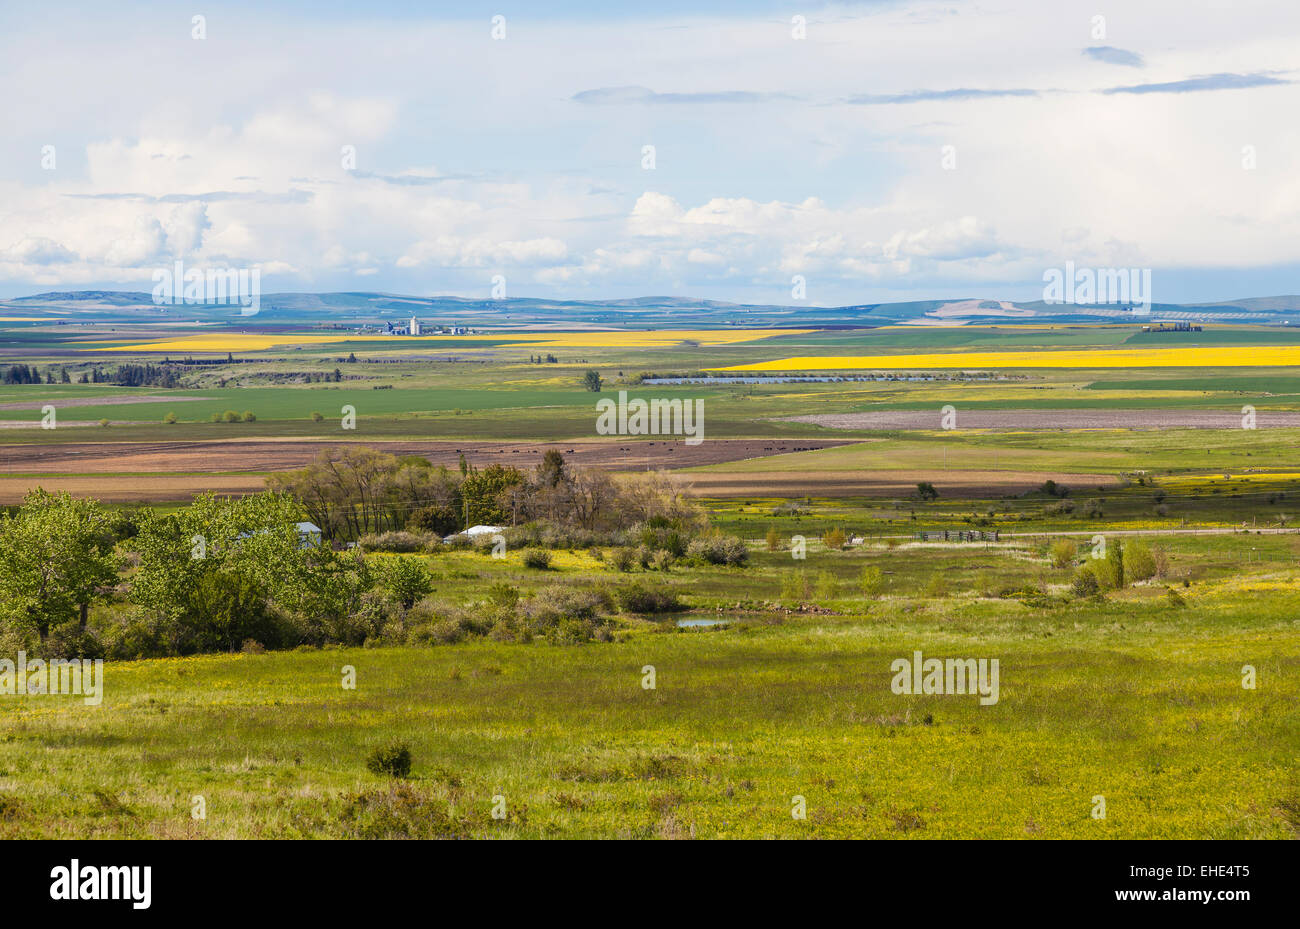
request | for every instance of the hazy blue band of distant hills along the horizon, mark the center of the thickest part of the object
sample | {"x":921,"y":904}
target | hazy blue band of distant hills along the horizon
{"x":348,"y":309}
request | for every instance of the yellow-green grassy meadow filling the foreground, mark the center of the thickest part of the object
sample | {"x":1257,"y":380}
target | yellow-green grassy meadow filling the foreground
{"x":1129,"y":698}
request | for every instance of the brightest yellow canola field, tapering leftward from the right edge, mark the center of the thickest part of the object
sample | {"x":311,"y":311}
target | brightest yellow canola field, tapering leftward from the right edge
{"x":1211,"y":357}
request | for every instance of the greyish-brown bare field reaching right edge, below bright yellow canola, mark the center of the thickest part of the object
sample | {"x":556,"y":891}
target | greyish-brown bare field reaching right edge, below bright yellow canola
{"x":1052,"y":419}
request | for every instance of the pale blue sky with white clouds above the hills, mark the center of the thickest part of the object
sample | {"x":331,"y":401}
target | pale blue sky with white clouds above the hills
{"x":874,"y":151}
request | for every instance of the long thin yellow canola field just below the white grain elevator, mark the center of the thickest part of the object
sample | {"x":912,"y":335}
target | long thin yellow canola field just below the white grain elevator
{"x":255,"y":342}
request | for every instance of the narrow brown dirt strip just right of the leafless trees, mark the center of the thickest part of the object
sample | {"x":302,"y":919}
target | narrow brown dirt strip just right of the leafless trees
{"x":955,"y":484}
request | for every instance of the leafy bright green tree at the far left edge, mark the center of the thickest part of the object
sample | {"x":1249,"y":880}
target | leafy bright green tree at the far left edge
{"x":57,"y":558}
